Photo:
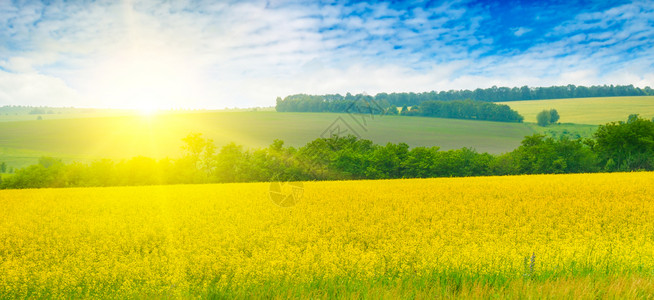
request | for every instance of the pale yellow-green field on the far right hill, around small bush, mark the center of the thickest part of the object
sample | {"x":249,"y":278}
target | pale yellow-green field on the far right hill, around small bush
{"x":588,"y":110}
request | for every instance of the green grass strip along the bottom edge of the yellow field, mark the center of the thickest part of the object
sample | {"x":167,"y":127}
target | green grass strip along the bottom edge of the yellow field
{"x":454,"y":285}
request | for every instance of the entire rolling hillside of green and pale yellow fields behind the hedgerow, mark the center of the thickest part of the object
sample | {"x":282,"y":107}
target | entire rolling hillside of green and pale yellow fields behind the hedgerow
{"x":89,"y":137}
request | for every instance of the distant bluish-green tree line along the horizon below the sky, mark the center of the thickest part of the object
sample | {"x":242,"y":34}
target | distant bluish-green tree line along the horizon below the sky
{"x":338,"y":103}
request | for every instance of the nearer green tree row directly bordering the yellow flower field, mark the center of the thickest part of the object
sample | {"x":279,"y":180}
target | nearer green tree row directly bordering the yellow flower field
{"x":616,"y":146}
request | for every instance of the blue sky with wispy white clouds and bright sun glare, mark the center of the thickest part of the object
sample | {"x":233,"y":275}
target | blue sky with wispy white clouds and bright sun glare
{"x":217,"y":54}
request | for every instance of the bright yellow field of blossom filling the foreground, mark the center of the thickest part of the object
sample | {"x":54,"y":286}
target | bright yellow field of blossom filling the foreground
{"x":586,"y":235}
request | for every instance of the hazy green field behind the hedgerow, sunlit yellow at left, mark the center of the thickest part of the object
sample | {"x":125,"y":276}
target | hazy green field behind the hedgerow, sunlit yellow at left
{"x":158,"y":136}
